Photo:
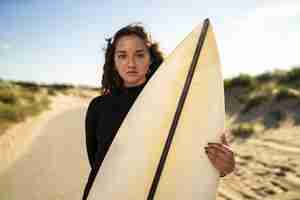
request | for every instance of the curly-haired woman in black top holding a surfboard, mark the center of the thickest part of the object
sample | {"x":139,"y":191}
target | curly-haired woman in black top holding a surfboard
{"x":130,"y":60}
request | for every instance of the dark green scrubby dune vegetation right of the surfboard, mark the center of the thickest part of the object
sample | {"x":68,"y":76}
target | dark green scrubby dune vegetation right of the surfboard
{"x":270,"y":93}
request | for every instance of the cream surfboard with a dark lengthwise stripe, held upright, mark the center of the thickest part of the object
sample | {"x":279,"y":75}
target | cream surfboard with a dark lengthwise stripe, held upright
{"x":158,"y":152}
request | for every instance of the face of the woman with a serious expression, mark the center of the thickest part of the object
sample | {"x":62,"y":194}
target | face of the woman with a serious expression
{"x":132,"y":60}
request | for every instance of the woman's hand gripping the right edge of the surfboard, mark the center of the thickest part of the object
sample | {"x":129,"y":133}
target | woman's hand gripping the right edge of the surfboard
{"x":221,"y":156}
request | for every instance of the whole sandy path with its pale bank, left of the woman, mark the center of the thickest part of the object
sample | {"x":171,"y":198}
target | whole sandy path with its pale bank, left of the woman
{"x":44,"y":157}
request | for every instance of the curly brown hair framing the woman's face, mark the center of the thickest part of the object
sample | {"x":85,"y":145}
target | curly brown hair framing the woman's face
{"x":111,"y":78}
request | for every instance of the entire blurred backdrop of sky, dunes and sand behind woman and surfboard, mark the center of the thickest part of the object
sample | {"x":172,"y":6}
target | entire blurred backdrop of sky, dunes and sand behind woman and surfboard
{"x":51,"y":56}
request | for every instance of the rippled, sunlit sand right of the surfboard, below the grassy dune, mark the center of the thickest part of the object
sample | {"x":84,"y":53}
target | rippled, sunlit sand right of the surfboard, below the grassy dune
{"x":267,"y":167}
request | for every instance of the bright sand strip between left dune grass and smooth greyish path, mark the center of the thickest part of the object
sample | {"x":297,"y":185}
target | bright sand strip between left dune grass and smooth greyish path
{"x":16,"y":140}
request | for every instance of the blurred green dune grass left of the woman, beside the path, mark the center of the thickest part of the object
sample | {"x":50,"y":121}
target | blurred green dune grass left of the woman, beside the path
{"x":19,"y":100}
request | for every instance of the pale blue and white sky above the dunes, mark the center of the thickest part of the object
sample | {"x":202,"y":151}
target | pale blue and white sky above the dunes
{"x":62,"y":41}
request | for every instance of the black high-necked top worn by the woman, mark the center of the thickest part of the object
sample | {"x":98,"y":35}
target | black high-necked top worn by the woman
{"x":103,"y":119}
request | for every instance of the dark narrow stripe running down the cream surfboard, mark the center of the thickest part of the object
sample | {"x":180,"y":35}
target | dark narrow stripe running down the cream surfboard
{"x":178,"y":111}
